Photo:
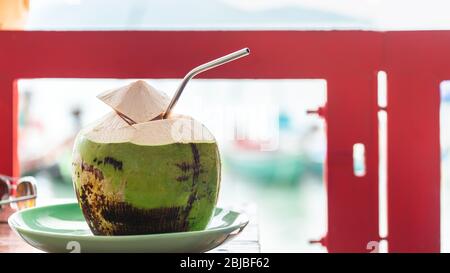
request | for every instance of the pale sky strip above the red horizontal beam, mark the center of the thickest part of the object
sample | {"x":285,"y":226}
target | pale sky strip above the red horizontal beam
{"x":240,"y":14}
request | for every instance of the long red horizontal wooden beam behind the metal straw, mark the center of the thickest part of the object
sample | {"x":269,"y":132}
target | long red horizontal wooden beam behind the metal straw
{"x":127,"y":54}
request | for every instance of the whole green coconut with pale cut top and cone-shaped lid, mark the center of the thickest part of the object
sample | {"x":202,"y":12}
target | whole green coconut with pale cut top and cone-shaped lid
{"x":135,"y":173}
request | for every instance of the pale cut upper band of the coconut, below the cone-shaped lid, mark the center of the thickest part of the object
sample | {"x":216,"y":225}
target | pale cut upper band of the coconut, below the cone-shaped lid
{"x":175,"y":129}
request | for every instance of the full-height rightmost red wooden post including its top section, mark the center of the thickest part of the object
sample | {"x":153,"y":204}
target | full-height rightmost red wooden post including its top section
{"x":415,"y":62}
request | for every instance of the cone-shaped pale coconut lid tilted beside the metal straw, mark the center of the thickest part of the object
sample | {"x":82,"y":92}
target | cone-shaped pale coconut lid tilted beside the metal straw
{"x":137,"y":102}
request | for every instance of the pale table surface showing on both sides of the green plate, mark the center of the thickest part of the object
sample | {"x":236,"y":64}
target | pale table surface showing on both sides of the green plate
{"x":246,"y":242}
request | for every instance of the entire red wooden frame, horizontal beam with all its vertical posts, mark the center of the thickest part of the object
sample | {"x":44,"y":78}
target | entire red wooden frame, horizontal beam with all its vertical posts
{"x":415,"y":62}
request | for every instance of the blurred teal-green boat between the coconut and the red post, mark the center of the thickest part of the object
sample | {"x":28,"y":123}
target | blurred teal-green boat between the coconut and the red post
{"x":294,"y":156}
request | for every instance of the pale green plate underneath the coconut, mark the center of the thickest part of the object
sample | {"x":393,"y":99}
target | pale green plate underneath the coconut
{"x":62,"y":228}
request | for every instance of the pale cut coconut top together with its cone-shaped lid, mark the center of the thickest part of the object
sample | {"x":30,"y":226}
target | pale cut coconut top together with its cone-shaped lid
{"x":136,"y":119}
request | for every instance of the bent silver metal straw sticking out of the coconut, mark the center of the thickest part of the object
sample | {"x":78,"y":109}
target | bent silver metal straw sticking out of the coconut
{"x":202,"y":68}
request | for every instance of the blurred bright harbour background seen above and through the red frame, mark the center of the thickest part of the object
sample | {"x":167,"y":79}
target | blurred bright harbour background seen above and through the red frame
{"x":282,"y":182}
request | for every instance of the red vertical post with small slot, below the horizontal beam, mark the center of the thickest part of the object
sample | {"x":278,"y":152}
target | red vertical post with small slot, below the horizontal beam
{"x":352,"y":201}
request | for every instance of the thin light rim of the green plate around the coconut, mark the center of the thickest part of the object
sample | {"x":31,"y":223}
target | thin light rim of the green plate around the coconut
{"x":228,"y":229}
